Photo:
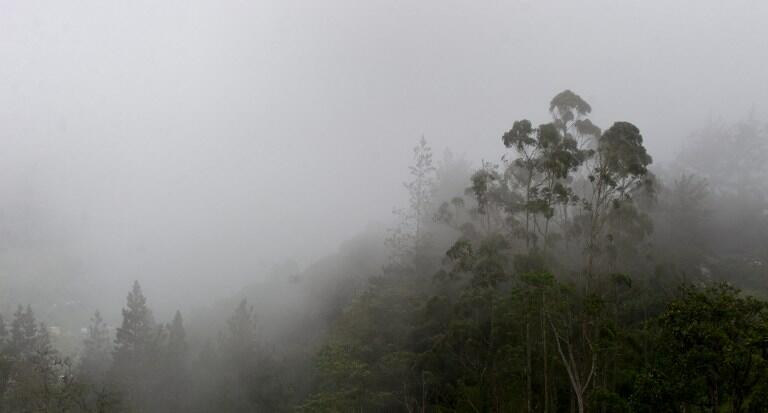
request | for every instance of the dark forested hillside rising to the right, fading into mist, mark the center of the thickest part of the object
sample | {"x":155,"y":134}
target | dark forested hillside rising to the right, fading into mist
{"x":568,"y":275}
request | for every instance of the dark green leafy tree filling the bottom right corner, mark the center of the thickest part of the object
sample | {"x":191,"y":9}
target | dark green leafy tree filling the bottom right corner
{"x":711,"y":354}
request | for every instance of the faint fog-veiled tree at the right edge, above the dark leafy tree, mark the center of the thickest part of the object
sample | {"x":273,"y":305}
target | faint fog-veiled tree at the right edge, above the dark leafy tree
{"x":731,"y":157}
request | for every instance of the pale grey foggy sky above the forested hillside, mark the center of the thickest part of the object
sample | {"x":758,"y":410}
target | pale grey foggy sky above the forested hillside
{"x":212,"y":137}
